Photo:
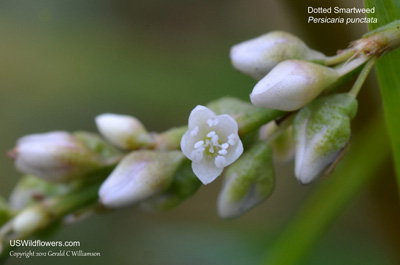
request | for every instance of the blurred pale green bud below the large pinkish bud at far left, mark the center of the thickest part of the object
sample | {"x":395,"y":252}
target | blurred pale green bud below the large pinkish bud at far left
{"x":30,"y":190}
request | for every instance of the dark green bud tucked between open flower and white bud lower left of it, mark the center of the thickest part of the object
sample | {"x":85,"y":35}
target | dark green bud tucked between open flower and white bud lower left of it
{"x":184,"y":185}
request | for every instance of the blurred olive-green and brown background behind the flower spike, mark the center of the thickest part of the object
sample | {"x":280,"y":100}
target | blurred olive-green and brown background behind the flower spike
{"x":64,"y":62}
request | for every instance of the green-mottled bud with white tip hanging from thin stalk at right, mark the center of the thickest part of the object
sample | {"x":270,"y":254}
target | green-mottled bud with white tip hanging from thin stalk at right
{"x":321,"y":131}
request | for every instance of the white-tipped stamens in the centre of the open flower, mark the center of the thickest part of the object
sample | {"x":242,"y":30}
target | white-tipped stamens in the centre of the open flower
{"x":211,"y":145}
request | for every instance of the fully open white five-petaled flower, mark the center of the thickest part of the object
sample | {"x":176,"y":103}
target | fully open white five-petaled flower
{"x":211,"y":142}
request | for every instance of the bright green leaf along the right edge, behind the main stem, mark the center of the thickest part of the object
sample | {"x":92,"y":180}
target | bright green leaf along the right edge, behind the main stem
{"x":387,"y":69}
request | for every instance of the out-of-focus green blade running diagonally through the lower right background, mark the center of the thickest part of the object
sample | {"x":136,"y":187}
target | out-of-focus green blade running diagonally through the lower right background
{"x":332,"y":197}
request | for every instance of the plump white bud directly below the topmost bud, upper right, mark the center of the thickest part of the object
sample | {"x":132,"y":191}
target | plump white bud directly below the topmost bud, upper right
{"x":292,"y":84}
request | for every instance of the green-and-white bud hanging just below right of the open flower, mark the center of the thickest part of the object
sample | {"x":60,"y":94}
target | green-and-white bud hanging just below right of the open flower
{"x":247,"y":182}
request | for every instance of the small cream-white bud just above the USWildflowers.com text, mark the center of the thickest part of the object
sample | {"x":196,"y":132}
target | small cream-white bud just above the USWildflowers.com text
{"x":30,"y":220}
